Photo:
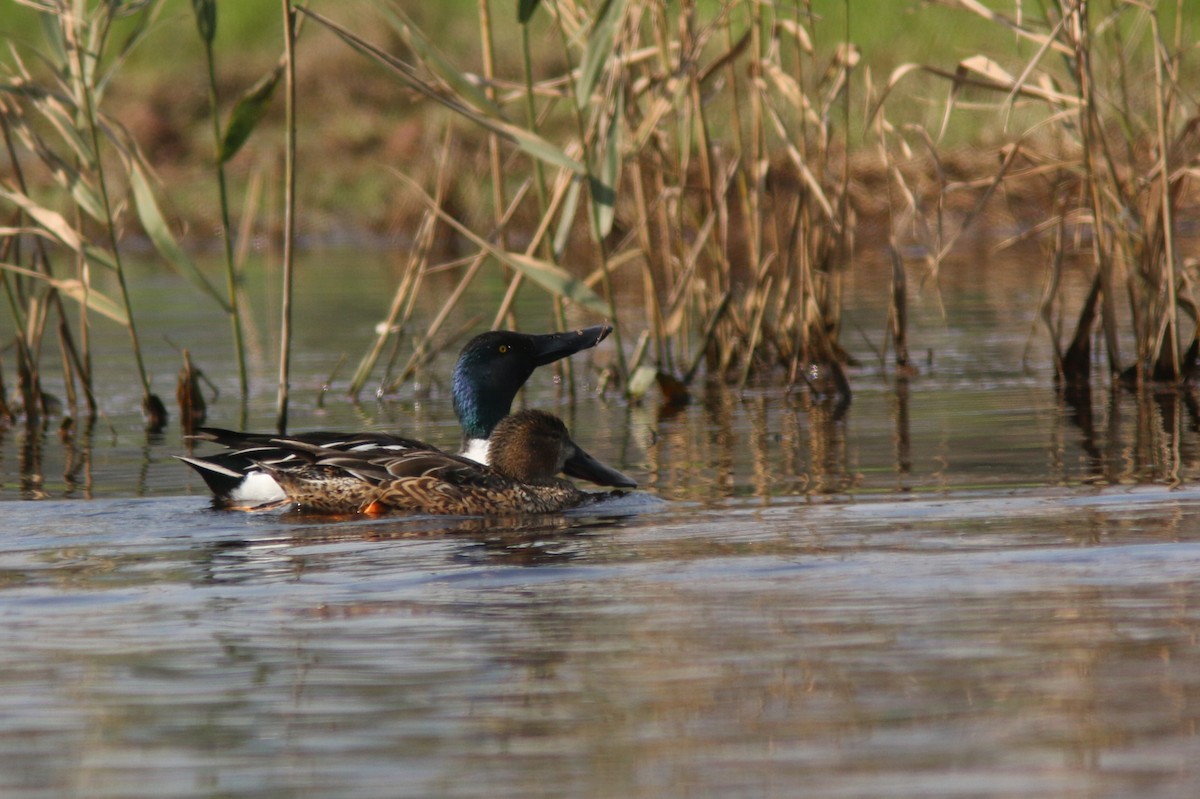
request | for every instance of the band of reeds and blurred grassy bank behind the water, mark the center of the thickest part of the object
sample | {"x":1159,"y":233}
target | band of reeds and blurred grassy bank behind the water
{"x":704,"y":175}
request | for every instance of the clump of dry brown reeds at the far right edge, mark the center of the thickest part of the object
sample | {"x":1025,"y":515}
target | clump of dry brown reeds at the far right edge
{"x":1120,"y":146}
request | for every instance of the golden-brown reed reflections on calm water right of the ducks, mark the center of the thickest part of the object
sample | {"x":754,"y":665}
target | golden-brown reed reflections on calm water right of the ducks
{"x":921,"y":437}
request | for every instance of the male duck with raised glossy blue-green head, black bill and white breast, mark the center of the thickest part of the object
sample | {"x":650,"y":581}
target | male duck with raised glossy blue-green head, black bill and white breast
{"x":490,"y":371}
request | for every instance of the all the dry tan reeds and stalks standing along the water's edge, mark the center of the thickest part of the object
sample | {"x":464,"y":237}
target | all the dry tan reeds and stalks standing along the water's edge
{"x":697,"y":157}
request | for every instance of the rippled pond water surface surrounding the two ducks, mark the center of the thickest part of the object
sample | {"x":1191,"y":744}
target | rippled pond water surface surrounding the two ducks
{"x":963,"y":586}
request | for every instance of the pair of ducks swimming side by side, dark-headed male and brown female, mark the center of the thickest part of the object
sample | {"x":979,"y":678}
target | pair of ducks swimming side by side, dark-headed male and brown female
{"x":509,"y":464}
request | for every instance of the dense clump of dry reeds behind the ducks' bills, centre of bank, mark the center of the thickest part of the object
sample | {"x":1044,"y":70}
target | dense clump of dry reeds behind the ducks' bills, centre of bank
{"x":722,"y":257}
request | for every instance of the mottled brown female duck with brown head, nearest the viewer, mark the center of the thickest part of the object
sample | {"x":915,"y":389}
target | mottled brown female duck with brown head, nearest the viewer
{"x":526,"y":450}
